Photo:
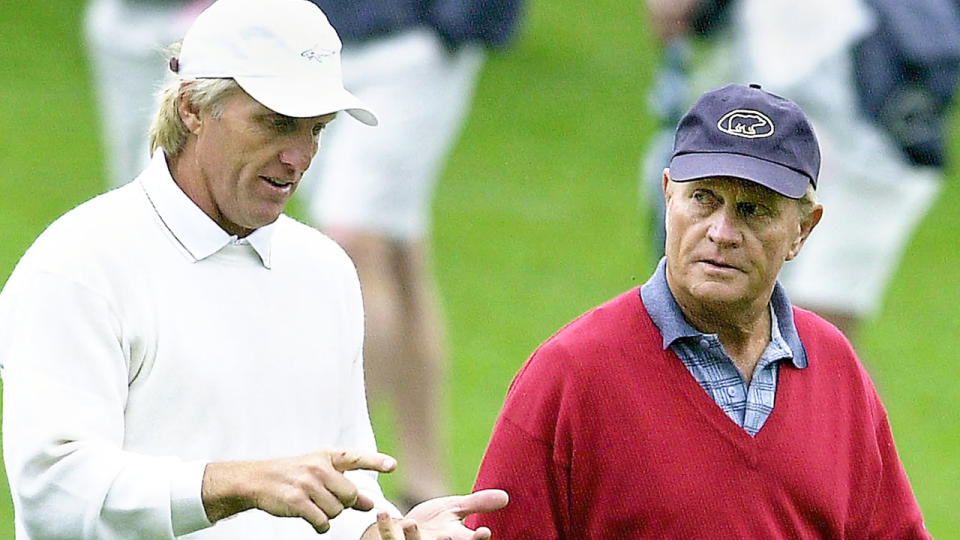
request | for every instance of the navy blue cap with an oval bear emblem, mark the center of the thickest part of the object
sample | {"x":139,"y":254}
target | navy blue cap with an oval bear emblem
{"x":745,"y":132}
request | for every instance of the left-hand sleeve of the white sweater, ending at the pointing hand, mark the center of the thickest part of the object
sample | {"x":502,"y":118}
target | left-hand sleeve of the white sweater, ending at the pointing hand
{"x":65,"y":388}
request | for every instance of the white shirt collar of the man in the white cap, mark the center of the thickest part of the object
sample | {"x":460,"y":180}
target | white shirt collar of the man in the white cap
{"x":194,"y":231}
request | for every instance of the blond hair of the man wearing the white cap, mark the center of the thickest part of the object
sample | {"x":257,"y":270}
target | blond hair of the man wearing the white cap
{"x":167,"y":131}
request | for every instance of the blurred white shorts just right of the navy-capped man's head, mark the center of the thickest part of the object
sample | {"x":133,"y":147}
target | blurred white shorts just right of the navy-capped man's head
{"x":873,"y":199}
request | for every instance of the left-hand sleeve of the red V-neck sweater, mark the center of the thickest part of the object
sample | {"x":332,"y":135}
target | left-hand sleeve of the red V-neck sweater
{"x":523,"y":458}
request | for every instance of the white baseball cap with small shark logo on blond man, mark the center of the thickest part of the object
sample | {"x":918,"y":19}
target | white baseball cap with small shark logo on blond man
{"x":284,"y":53}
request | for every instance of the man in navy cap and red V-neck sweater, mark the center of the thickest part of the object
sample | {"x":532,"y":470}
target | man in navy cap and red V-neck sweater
{"x":703,"y":404}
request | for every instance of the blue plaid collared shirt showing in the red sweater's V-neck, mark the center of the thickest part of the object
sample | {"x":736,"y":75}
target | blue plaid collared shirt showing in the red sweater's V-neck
{"x":713,"y":369}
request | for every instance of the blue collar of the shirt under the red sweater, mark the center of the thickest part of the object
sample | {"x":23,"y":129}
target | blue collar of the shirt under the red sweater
{"x":667,"y":316}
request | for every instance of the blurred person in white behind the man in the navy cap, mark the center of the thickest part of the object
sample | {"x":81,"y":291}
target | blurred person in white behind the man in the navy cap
{"x":876,"y":78}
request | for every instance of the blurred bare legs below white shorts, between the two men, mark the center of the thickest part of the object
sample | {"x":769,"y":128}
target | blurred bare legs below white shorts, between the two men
{"x":404,"y":353}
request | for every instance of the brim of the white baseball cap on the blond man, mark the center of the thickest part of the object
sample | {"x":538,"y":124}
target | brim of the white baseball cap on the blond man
{"x":305,"y":99}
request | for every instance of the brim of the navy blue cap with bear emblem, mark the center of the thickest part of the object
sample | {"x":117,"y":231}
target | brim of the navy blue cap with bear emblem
{"x":783,"y":180}
